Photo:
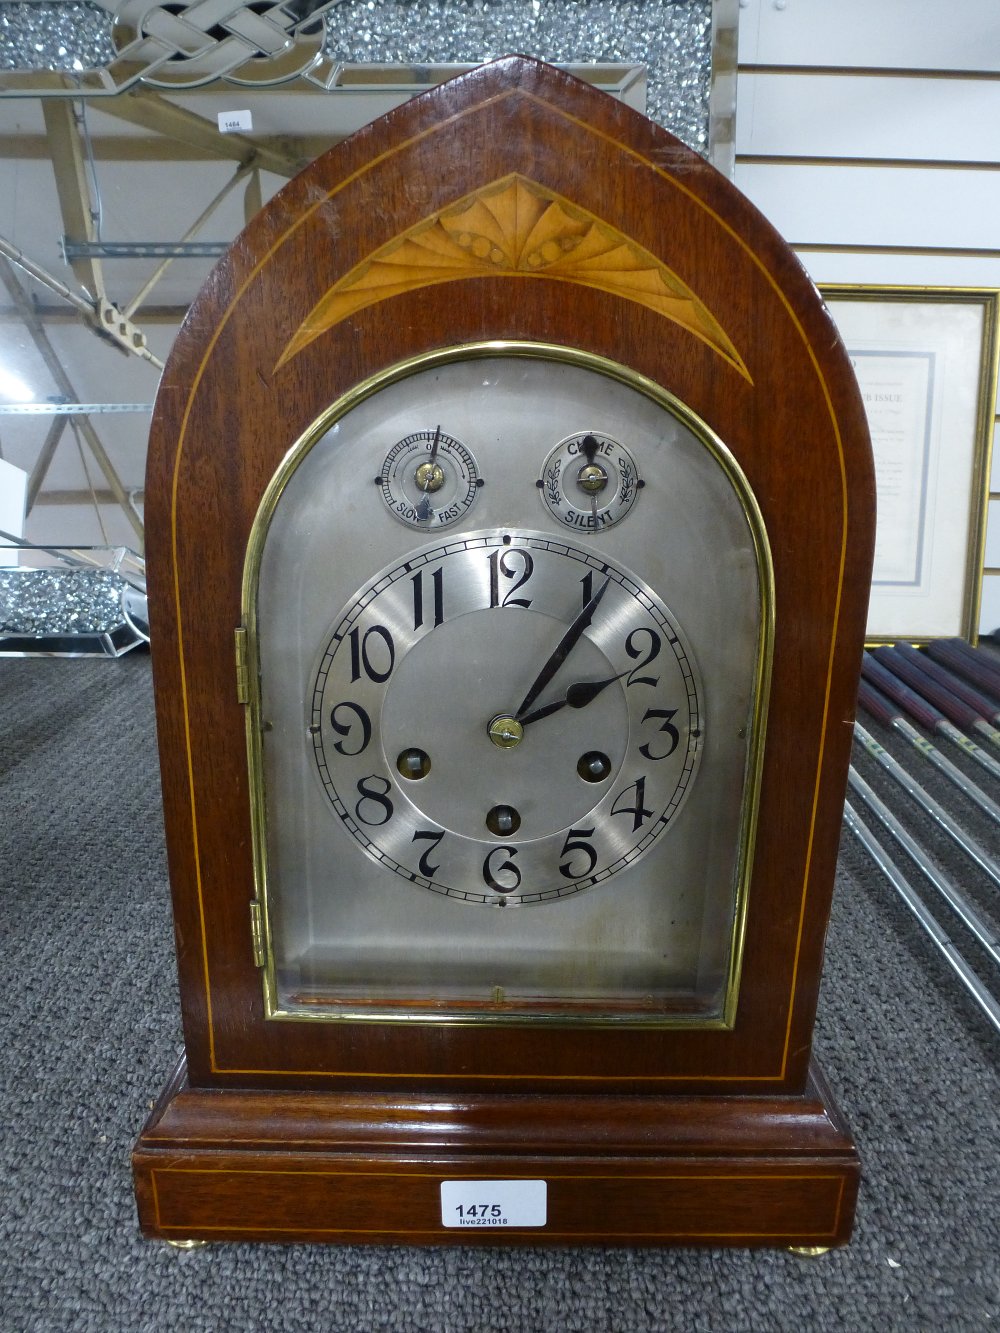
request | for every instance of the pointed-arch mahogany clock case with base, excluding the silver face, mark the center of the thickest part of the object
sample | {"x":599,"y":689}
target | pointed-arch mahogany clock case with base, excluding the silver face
{"x":706,"y":302}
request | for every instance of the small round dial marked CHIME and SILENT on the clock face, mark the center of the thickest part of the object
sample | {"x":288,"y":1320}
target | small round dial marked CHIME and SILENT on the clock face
{"x":590,"y":482}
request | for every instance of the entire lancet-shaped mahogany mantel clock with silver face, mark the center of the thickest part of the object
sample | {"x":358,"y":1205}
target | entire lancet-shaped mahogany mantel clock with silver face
{"x":510,"y":513}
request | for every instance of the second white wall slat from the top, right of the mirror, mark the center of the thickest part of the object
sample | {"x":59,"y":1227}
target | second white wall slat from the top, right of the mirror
{"x":843,"y":117}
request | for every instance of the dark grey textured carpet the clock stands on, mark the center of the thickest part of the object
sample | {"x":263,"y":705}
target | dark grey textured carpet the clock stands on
{"x":91,"y":1030}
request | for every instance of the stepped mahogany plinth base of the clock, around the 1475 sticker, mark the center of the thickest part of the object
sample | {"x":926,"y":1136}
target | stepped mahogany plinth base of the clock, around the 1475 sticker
{"x":349,"y":1168}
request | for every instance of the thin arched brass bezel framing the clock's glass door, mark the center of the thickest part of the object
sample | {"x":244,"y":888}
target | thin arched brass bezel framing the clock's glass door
{"x":761,"y":691}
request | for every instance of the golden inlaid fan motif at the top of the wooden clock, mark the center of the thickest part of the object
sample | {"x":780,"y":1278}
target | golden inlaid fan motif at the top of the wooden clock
{"x":517,"y":229}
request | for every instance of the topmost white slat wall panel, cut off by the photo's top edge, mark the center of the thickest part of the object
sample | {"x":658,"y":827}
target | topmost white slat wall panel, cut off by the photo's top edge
{"x":873,"y":34}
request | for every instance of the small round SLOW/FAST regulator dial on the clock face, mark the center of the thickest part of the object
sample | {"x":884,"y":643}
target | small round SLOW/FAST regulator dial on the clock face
{"x":430,"y":479}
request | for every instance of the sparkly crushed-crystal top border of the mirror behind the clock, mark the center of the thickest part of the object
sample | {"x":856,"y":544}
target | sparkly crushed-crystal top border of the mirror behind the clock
{"x":375,"y":54}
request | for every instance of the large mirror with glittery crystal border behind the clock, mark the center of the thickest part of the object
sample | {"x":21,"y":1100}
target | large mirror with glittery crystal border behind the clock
{"x":675,"y":61}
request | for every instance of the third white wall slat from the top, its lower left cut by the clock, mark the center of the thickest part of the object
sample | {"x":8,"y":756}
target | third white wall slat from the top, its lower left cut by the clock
{"x":903,"y":207}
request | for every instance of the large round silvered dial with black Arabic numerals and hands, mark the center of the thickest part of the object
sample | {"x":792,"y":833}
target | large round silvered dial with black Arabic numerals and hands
{"x":506,"y":719}
